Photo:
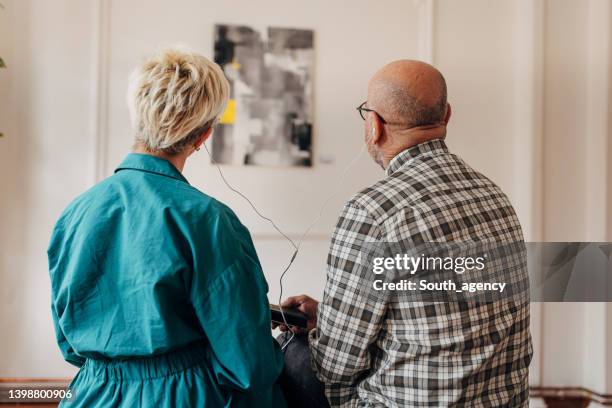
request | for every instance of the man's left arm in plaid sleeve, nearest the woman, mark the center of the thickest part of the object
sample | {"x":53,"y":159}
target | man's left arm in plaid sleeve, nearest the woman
{"x":349,"y":317}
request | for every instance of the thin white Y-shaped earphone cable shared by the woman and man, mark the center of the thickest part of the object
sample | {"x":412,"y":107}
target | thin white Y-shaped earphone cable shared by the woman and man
{"x":286,"y":313}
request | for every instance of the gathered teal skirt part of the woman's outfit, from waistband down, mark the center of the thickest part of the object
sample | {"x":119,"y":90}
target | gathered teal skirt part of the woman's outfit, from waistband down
{"x":177,"y":379}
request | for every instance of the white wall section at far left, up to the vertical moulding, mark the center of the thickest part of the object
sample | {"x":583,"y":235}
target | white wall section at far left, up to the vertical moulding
{"x":42,"y":160}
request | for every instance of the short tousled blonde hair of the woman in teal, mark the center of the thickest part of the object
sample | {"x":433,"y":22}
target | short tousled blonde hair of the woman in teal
{"x":173,"y":98}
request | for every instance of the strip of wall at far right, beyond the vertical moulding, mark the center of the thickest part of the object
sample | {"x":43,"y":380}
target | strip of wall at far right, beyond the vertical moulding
{"x":576,"y":337}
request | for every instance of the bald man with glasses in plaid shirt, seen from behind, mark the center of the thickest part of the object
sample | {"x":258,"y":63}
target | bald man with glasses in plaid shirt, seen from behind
{"x":393,"y":352}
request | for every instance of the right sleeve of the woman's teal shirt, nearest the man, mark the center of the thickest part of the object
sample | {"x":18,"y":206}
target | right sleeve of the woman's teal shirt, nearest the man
{"x":232,"y":306}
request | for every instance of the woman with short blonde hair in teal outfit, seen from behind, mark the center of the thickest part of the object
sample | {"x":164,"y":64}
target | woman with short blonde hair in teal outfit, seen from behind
{"x":157,"y":292}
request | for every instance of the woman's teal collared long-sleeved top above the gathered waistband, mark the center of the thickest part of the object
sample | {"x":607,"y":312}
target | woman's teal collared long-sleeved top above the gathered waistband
{"x":143,"y":264}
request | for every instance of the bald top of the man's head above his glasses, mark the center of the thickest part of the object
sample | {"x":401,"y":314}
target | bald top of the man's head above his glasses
{"x":410,"y":93}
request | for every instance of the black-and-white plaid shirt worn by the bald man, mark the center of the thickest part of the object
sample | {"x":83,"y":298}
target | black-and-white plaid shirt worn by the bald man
{"x":404,"y":354}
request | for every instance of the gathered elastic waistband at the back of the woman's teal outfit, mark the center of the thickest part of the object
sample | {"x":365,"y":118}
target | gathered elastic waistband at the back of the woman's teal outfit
{"x":142,"y":368}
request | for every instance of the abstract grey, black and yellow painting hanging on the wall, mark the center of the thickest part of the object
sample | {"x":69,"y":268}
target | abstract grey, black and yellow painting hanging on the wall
{"x":268,"y":120}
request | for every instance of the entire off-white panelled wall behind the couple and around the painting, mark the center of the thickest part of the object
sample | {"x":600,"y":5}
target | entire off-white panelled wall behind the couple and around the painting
{"x":528,"y":82}
